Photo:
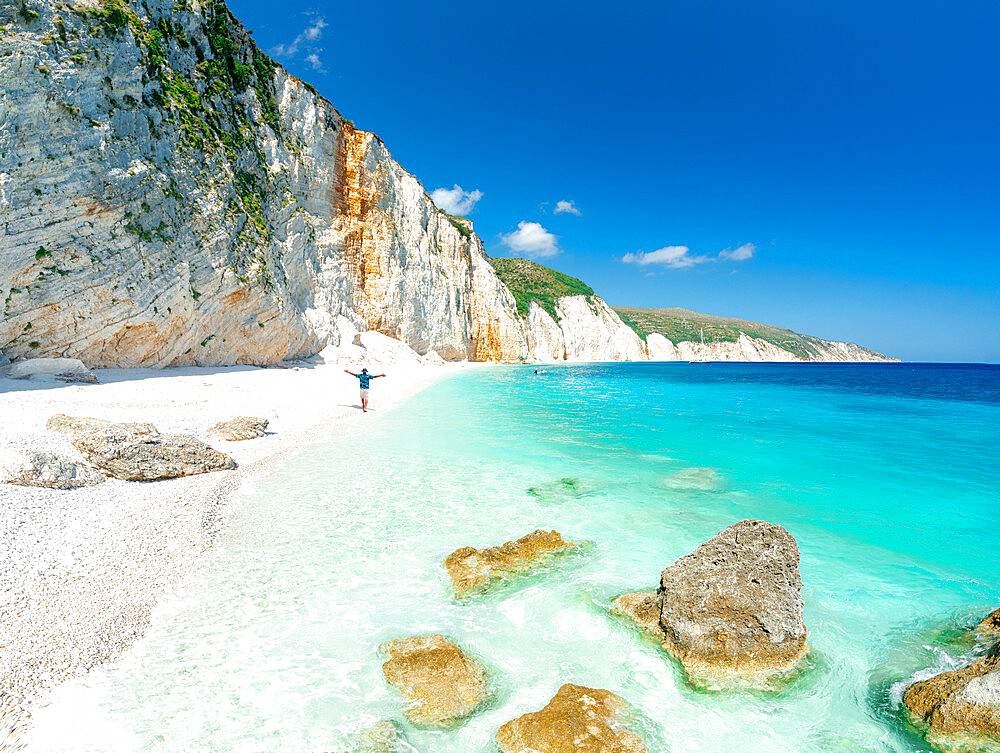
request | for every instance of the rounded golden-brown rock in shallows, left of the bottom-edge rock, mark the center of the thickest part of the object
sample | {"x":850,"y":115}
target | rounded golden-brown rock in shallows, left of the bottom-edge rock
{"x":442,"y":684}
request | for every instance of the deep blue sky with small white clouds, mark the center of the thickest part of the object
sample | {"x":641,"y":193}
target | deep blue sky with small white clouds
{"x":833,"y":167}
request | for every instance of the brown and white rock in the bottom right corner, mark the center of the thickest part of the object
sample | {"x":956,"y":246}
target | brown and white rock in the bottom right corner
{"x":963,"y":702}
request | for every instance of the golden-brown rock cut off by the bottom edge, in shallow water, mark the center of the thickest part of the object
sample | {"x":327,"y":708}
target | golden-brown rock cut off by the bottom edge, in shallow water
{"x":576,"y":720}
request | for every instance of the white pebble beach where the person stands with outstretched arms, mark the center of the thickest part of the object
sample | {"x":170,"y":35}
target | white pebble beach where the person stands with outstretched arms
{"x":85,"y":568}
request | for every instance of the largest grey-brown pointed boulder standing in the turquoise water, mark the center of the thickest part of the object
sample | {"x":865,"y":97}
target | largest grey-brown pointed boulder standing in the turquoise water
{"x":731,"y":611}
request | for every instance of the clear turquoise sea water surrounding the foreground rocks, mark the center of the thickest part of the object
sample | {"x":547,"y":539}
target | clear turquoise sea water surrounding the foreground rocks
{"x":888,"y":476}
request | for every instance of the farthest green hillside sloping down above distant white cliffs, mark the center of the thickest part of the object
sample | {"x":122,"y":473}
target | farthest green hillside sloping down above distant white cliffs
{"x":680,"y":325}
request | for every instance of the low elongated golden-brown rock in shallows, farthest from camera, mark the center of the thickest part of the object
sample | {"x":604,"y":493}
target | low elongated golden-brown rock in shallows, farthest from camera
{"x":474,"y":569}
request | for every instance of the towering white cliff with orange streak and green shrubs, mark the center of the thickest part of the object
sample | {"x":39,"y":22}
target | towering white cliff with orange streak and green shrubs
{"x":171,"y":196}
